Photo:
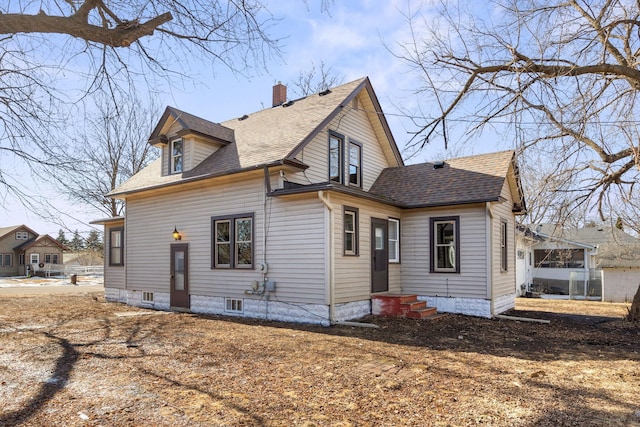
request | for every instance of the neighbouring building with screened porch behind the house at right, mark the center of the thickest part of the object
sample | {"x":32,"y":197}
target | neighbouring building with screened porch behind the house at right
{"x":594,"y":262}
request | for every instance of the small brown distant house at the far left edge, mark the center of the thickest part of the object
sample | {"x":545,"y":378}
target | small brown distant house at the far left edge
{"x":25,"y":252}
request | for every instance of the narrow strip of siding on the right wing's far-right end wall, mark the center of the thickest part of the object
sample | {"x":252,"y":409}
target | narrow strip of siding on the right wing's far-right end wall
{"x":504,"y":282}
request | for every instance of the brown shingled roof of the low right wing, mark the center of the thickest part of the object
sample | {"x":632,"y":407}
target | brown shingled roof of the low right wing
{"x":474,"y":179}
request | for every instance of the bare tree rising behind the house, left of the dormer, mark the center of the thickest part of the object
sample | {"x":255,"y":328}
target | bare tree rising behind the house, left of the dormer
{"x":112,"y":147}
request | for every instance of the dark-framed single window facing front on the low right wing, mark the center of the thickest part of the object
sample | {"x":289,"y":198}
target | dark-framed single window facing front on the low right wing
{"x":445,"y":249}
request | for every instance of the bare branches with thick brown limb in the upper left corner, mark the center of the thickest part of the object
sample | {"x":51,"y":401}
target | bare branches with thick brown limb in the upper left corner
{"x":56,"y":53}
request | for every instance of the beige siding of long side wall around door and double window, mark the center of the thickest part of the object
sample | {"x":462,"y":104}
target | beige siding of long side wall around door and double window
{"x":294,"y":248}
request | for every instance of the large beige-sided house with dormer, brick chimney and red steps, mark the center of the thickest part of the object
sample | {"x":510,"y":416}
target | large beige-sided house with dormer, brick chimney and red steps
{"x":306,"y":212}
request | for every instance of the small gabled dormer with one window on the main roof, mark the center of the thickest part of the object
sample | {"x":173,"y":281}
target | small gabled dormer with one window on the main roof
{"x":186,"y":140}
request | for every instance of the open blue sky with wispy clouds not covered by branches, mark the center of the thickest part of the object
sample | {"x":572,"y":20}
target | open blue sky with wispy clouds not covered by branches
{"x":349,"y":39}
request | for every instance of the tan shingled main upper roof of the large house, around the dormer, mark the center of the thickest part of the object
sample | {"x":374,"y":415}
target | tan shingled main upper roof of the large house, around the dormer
{"x":269,"y":137}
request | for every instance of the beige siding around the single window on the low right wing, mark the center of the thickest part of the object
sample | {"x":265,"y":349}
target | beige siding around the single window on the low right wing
{"x":416,"y":278}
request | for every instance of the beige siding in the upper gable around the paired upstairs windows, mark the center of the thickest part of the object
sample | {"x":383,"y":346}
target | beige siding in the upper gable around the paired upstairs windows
{"x":353,"y":125}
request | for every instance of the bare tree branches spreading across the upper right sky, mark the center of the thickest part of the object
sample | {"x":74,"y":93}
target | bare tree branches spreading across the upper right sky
{"x":562,"y":77}
